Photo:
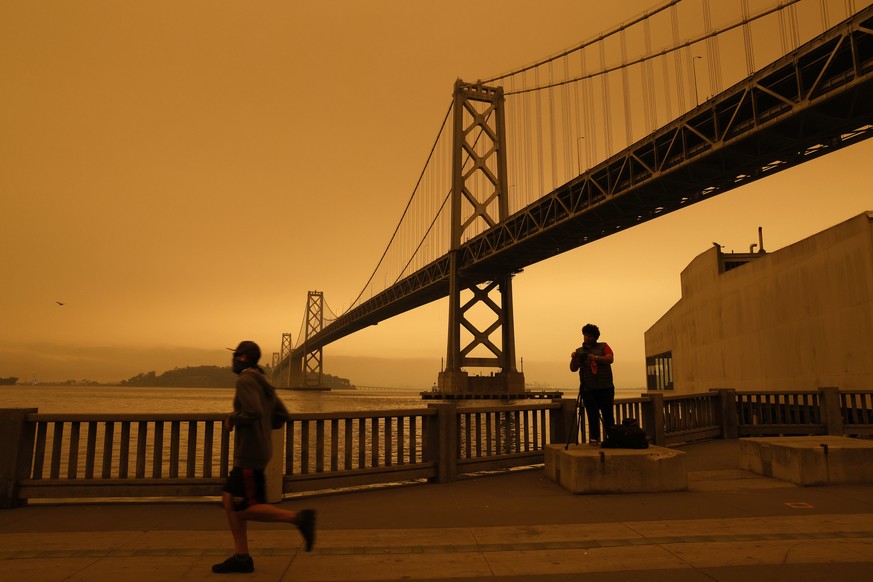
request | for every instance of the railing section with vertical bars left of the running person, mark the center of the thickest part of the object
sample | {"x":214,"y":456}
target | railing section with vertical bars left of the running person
{"x":126,"y":455}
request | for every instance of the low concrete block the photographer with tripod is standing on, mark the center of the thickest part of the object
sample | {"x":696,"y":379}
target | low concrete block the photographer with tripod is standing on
{"x":584,"y":469}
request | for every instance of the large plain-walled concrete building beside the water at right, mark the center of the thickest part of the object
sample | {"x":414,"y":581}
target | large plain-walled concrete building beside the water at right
{"x":798,"y":318}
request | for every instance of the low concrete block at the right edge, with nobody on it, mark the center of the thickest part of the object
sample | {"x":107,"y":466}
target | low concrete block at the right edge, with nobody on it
{"x":809,"y":460}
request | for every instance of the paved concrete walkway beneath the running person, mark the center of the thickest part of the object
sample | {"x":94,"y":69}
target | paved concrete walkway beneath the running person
{"x":730,"y":526}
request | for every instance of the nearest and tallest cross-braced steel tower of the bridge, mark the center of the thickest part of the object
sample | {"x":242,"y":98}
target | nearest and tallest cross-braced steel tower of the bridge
{"x":479,"y":199}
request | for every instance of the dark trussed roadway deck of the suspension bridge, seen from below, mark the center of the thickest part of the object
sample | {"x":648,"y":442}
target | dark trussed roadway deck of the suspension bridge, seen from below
{"x":812,"y":102}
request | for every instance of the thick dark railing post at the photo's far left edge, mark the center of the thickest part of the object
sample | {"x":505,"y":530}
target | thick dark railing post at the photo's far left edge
{"x":16,"y":454}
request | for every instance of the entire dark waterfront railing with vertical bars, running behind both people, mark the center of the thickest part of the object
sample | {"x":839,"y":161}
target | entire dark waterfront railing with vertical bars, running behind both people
{"x":181,"y":455}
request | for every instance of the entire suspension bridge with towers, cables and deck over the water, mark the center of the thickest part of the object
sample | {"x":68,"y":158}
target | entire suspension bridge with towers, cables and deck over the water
{"x":684,"y":102}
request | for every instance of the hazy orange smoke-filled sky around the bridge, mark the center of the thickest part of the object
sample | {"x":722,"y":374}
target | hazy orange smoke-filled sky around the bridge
{"x":180,"y":174}
